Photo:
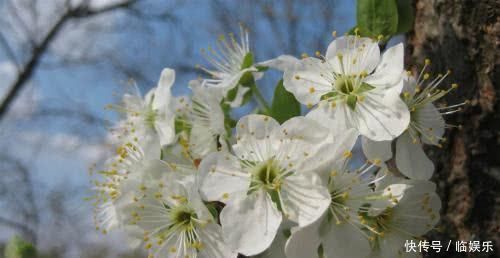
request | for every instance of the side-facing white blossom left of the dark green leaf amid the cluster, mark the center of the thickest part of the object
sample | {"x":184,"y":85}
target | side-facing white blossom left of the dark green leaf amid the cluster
{"x":207,"y":133}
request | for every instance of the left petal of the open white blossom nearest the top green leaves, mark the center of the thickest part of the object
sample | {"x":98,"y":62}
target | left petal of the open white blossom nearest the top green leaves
{"x":306,"y":82}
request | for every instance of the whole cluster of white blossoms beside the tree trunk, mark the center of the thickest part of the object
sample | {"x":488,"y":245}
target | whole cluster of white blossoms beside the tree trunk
{"x":189,"y":180}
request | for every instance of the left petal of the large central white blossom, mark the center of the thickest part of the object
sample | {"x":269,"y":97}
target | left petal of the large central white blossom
{"x":222,"y":177}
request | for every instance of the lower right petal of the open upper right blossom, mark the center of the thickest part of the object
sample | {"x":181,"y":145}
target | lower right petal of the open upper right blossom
{"x":381,"y":117}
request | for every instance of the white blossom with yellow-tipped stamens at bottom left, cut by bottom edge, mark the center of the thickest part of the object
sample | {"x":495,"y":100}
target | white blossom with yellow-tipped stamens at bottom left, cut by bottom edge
{"x":177,"y":224}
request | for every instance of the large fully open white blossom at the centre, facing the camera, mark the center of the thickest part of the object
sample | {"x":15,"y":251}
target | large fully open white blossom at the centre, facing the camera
{"x":270,"y":176}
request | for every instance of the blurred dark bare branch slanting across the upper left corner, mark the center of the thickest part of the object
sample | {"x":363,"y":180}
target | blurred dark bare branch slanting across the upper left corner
{"x":40,"y":49}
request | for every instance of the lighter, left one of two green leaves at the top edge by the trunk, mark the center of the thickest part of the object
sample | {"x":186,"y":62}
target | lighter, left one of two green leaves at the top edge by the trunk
{"x":377,"y":17}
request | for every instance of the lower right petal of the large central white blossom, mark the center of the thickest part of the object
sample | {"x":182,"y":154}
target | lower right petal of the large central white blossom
{"x":304,"y":198}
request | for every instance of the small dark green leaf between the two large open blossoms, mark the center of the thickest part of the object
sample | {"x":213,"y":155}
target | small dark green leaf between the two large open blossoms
{"x":284,"y":105}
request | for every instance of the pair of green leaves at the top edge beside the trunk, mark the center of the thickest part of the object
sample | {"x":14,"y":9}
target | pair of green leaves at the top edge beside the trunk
{"x":383,"y":17}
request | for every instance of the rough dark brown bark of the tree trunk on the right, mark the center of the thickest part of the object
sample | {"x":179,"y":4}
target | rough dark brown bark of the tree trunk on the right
{"x":463,"y":35}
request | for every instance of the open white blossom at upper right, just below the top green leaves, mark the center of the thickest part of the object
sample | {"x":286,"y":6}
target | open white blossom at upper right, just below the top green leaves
{"x":354,"y":87}
